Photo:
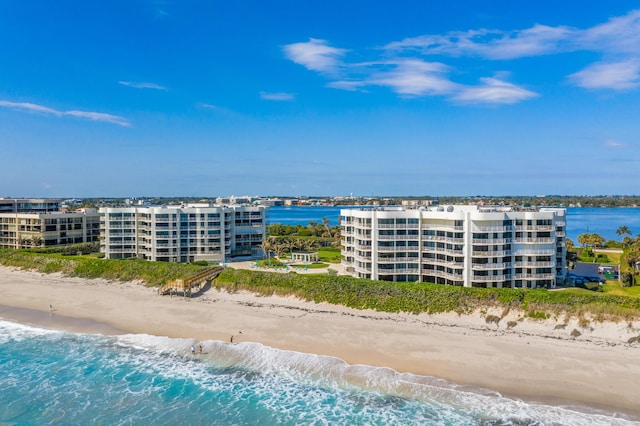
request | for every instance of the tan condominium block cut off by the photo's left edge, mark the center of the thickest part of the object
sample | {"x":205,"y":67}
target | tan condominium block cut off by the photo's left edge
{"x":39,"y":222}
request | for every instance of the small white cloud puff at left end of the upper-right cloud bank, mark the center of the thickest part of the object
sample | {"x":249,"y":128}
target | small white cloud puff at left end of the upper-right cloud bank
{"x":315,"y":55}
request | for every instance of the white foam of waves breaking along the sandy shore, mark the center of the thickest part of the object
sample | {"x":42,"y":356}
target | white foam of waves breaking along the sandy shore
{"x":333,"y":373}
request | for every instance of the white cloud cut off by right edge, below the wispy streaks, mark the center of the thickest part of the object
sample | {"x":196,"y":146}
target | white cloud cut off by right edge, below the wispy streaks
{"x":617,"y":76}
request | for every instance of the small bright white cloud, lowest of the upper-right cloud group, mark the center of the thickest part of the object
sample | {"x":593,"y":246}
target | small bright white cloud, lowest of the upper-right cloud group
{"x":494,"y":91}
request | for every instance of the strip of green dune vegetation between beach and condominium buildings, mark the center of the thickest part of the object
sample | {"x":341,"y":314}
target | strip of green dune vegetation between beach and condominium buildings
{"x":341,"y":290}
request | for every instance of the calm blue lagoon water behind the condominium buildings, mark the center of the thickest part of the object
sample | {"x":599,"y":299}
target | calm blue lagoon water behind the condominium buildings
{"x":603,"y":221}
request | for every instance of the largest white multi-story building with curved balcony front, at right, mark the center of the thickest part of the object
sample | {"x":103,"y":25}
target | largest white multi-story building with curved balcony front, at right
{"x":467,"y":246}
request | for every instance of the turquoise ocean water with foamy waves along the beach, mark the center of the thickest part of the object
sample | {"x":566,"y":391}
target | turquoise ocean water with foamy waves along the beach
{"x":62,"y":378}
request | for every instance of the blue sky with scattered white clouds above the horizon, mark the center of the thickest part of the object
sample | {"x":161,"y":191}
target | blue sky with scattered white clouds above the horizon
{"x":208,"y":98}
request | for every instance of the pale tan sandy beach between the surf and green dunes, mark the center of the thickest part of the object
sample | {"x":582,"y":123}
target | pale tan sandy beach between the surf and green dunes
{"x":535,"y":360}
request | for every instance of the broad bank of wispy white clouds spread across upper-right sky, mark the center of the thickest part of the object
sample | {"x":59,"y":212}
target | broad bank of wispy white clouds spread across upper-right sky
{"x":407,"y":67}
